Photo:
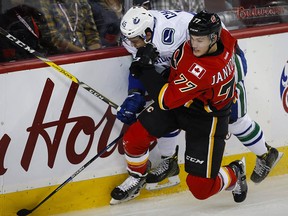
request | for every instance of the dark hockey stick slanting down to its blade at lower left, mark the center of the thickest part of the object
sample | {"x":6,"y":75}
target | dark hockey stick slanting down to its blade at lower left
{"x":24,"y":212}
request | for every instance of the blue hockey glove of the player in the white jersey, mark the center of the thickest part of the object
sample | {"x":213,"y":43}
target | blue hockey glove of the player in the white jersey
{"x":133,"y":104}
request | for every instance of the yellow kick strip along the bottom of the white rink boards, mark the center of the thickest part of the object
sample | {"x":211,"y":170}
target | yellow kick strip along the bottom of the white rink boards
{"x":94,"y":193}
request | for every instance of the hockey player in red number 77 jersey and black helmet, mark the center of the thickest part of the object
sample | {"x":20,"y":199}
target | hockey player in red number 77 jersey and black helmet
{"x":197,"y":98}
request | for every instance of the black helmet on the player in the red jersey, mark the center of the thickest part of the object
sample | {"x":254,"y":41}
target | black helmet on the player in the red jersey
{"x":204,"y":23}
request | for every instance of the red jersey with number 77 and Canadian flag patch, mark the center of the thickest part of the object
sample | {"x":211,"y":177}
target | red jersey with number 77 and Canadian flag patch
{"x":209,"y":79}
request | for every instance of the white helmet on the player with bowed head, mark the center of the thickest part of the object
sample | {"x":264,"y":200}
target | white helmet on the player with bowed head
{"x":137,"y":22}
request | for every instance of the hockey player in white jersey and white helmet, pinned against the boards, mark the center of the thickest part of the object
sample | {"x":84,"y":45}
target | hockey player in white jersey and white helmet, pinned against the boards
{"x":173,"y":28}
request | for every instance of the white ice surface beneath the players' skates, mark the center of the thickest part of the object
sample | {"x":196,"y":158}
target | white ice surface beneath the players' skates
{"x":265,"y":199}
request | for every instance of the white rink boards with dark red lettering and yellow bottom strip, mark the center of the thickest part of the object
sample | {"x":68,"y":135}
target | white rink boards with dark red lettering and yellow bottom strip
{"x":32,"y":117}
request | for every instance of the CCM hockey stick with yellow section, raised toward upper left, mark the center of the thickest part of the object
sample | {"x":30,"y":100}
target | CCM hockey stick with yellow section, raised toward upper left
{"x":57,"y":67}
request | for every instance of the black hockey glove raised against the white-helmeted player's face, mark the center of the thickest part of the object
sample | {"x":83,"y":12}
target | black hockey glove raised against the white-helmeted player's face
{"x":145,"y":58}
